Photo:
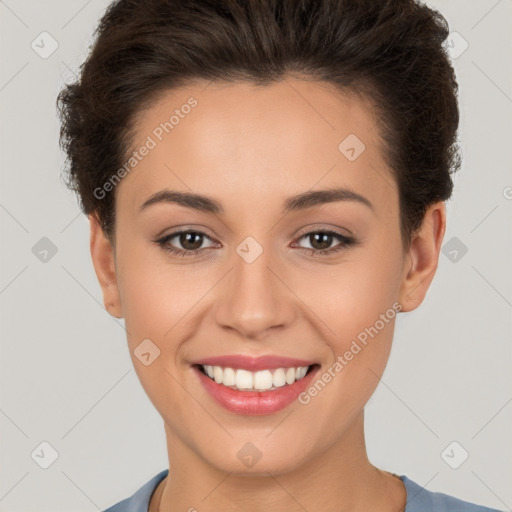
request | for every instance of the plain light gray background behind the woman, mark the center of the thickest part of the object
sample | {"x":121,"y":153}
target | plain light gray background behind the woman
{"x":65,"y":373}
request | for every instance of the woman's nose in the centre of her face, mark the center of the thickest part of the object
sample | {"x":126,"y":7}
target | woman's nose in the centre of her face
{"x":254,"y":298}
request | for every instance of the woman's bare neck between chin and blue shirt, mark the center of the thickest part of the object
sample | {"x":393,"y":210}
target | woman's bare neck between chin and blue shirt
{"x":340,"y":478}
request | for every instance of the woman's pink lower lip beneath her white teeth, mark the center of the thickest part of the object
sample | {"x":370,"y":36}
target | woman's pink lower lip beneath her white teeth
{"x":255,"y":402}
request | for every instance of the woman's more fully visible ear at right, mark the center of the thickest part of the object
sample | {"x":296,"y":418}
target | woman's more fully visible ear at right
{"x":422,"y":257}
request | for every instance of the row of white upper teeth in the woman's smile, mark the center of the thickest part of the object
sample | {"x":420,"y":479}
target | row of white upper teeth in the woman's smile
{"x":255,"y":381}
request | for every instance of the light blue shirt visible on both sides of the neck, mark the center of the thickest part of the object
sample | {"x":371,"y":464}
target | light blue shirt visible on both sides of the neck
{"x":419,"y":499}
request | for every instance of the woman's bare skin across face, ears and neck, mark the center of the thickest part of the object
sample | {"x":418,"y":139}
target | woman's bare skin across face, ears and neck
{"x":250,"y":148}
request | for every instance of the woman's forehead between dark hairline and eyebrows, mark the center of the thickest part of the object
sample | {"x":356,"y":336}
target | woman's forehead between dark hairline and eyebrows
{"x":224,"y":138}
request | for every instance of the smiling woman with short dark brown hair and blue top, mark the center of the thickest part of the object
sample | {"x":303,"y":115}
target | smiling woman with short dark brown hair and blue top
{"x":265,"y":184}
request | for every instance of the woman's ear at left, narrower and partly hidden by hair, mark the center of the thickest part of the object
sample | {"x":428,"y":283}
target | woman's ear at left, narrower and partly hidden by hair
{"x":103,"y":259}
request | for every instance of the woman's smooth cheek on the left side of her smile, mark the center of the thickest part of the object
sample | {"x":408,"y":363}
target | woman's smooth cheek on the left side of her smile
{"x":155,"y":311}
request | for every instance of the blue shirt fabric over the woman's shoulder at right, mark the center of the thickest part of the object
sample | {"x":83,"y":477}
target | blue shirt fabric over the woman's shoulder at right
{"x":420,"y":499}
